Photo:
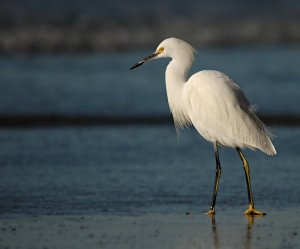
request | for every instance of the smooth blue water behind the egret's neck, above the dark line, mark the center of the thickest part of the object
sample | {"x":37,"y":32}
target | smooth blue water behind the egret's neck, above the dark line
{"x":103,"y":85}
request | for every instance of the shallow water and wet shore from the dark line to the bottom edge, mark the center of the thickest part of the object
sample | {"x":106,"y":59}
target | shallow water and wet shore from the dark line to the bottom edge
{"x":131,"y":187}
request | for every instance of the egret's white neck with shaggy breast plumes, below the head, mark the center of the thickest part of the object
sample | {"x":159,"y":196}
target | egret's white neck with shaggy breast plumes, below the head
{"x":176,"y":78}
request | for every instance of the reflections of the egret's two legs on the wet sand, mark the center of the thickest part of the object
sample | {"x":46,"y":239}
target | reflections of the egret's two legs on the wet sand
{"x":248,"y":232}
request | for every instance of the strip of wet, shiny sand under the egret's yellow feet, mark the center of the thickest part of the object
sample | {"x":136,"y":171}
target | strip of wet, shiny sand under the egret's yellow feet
{"x":279,"y":229}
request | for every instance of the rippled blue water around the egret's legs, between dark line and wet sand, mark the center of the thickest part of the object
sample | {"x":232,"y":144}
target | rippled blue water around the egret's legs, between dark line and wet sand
{"x":136,"y":169}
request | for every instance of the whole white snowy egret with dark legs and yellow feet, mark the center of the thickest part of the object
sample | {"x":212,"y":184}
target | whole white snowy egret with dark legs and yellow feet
{"x":215,"y":105}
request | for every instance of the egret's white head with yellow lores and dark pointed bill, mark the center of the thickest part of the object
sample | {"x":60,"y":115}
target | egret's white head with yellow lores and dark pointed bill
{"x":171,"y":47}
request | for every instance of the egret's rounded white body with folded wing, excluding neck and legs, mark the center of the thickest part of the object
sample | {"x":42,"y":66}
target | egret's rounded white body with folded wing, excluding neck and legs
{"x":221,"y":113}
